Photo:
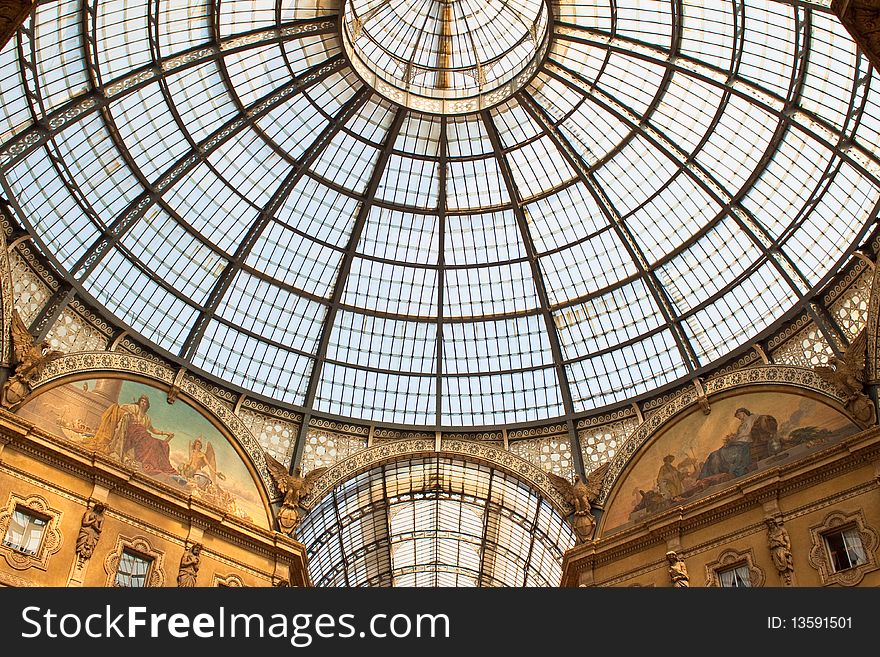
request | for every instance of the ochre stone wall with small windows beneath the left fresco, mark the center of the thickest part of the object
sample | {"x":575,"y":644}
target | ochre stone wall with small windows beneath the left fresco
{"x":162,"y":522}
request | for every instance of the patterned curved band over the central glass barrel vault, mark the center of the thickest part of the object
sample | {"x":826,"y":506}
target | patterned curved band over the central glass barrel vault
{"x":495,"y":457}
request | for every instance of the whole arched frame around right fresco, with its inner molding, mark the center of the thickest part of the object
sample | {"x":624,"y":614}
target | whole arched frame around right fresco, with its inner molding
{"x":795,"y":381}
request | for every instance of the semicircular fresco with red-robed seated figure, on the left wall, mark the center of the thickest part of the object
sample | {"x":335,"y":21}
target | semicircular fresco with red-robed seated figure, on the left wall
{"x":173,"y":443}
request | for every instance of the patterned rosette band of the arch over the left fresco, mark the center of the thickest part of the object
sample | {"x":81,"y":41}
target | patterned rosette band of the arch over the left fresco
{"x":122,"y":363}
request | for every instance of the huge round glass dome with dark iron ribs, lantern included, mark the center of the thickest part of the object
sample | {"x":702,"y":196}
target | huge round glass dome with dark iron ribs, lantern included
{"x":673,"y":179}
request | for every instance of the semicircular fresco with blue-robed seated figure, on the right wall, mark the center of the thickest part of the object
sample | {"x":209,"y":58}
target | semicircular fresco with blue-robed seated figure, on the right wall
{"x":743,"y":433}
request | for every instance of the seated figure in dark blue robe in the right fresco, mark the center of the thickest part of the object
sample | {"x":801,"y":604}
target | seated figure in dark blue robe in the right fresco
{"x":743,"y":449}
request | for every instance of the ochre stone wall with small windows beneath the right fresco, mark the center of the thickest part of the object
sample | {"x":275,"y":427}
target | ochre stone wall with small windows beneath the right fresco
{"x":842,"y":481}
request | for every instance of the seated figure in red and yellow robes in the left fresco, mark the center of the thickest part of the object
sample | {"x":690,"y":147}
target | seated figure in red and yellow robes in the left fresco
{"x":127,"y":431}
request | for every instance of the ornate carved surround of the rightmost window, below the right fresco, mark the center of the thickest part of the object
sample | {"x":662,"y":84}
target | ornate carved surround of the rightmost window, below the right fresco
{"x":820,"y":558}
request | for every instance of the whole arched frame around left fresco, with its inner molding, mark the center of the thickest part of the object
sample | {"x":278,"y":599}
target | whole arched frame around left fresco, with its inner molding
{"x":74,"y":368}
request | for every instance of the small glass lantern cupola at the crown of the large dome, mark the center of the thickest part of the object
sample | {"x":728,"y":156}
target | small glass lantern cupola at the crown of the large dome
{"x":445,"y":56}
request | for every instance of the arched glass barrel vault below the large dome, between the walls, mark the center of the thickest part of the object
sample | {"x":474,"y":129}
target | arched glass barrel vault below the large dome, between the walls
{"x":435,"y":521}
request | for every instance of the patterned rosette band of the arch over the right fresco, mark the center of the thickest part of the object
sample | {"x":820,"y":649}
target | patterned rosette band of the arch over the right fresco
{"x":797,"y":377}
